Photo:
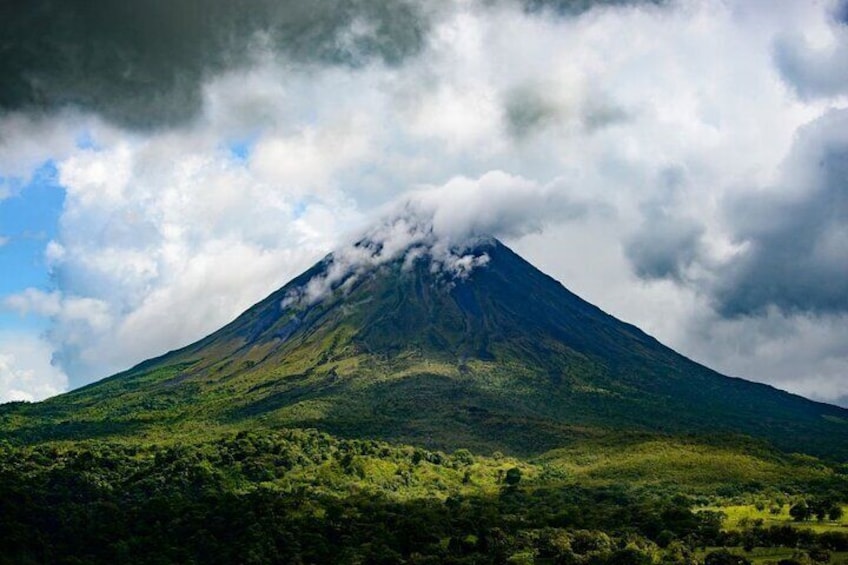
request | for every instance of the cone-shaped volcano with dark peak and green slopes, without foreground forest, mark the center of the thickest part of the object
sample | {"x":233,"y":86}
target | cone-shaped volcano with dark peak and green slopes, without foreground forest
{"x":488,"y":354}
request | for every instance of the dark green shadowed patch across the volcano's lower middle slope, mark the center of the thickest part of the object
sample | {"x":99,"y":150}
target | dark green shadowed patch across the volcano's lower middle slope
{"x":429,"y":410}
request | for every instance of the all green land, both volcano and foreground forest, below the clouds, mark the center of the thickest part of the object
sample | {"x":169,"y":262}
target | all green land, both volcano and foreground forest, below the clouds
{"x":409,"y":419}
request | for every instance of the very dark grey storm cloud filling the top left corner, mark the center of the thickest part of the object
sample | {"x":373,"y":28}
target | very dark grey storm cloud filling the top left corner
{"x":141,"y":63}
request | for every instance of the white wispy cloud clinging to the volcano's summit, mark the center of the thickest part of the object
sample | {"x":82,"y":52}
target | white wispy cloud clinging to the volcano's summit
{"x":444,"y":224}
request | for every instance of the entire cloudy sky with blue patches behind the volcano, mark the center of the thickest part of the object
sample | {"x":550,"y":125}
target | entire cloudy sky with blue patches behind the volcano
{"x":681,"y":164}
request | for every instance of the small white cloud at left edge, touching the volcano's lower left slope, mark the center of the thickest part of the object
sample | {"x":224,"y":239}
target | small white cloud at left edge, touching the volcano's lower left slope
{"x":26,"y":371}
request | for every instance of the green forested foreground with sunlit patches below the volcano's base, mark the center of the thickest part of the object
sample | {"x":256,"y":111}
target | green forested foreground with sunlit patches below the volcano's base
{"x":303,"y":496}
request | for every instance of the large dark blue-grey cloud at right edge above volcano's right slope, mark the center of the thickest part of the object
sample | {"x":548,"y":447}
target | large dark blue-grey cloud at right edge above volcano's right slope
{"x":797,"y":237}
